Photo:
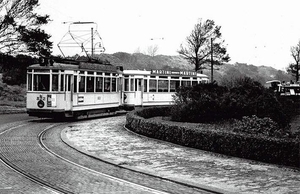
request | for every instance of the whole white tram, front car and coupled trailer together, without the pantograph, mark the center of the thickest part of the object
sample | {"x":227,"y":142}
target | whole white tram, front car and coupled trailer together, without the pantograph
{"x":85,"y":89}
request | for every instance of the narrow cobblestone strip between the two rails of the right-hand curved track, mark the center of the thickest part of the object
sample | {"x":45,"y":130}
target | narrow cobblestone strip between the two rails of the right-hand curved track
{"x":54,"y":142}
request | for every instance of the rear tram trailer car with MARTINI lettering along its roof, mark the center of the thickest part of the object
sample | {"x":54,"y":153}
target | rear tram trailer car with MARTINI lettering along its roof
{"x":156,"y":87}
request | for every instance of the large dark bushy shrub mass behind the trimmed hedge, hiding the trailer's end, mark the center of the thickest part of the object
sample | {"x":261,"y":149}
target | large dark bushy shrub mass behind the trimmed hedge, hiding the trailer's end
{"x":246,"y":97}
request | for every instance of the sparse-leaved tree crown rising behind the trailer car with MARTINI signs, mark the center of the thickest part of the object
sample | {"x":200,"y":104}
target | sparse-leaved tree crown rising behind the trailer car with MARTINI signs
{"x":204,"y":39}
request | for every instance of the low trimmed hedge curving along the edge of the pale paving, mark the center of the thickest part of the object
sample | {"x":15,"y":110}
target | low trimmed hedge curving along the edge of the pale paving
{"x":271,"y":150}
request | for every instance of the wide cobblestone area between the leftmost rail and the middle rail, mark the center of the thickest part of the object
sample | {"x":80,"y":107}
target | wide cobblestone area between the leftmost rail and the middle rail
{"x":20,"y":147}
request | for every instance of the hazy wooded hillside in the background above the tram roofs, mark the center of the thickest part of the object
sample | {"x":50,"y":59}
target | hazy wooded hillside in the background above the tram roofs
{"x":226,"y":71}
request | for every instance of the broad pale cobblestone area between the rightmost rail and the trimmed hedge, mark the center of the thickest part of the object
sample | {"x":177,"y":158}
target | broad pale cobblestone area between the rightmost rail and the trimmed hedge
{"x":106,"y":138}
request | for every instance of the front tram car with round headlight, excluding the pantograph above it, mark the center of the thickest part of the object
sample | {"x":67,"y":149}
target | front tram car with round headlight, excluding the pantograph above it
{"x":72,"y":90}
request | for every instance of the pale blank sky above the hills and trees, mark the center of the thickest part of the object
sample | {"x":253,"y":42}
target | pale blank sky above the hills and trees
{"x":257,"y":32}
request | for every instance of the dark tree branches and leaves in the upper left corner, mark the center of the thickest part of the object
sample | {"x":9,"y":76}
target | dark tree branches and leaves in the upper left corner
{"x":20,"y":28}
